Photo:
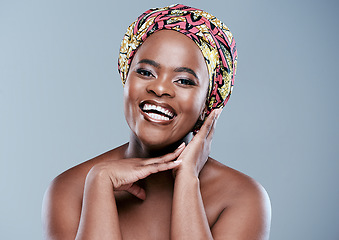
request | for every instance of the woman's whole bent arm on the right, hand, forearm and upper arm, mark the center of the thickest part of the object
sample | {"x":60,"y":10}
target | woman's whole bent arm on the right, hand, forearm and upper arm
{"x":246,"y":214}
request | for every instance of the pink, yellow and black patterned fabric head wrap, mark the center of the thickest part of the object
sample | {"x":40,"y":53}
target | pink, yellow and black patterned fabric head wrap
{"x":212,"y":37}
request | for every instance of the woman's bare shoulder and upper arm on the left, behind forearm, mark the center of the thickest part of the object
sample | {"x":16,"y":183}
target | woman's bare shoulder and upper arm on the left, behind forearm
{"x":62,"y":202}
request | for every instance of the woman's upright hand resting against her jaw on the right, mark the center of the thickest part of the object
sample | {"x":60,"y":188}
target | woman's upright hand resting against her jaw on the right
{"x":196,"y":152}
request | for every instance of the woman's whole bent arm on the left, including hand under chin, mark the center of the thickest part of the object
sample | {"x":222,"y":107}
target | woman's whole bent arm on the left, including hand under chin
{"x":65,"y":218}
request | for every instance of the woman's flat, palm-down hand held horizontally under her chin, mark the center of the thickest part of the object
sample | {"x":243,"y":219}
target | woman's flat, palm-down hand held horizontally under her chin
{"x":123,"y":173}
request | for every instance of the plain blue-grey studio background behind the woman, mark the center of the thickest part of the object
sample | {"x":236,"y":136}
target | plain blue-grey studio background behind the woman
{"x":61,"y":103}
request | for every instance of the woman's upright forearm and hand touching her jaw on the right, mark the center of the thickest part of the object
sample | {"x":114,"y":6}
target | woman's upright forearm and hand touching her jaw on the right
{"x":189,"y":220}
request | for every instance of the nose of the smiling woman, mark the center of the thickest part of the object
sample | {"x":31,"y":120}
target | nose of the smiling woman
{"x":161,"y":87}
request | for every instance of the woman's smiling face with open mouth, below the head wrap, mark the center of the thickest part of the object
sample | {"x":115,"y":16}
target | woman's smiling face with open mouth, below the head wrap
{"x":166,"y":88}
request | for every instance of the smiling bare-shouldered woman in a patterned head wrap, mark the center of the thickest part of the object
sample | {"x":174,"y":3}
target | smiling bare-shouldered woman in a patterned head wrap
{"x":177,"y":64}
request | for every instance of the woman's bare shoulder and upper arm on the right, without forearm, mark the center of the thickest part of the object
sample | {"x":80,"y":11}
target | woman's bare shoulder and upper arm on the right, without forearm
{"x":243,"y":204}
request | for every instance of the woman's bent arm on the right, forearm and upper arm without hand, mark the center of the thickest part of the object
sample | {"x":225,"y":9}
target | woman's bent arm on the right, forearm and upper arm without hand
{"x":248,"y":217}
